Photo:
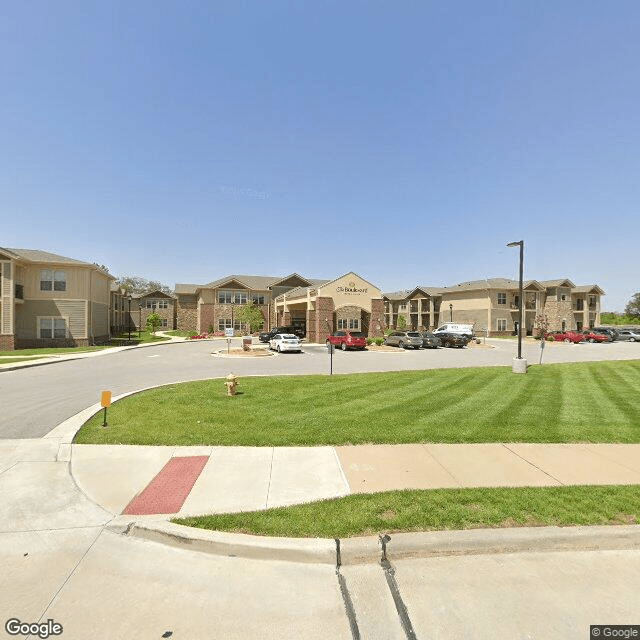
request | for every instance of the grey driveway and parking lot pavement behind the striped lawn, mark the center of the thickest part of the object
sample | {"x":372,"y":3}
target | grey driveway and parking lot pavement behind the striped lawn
{"x":34,"y":400}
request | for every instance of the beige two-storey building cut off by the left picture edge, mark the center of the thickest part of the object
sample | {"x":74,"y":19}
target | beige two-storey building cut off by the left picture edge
{"x":51,"y":300}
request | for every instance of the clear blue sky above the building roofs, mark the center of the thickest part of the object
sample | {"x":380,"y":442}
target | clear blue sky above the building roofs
{"x":406,"y":141}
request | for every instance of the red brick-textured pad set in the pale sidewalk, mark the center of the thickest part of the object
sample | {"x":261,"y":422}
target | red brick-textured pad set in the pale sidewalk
{"x":167,"y":492}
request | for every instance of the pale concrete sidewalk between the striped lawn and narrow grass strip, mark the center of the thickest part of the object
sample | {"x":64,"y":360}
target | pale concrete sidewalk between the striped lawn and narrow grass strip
{"x":234,"y":479}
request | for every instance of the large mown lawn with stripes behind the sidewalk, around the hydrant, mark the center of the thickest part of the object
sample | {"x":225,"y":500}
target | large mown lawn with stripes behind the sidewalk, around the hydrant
{"x":590,"y":402}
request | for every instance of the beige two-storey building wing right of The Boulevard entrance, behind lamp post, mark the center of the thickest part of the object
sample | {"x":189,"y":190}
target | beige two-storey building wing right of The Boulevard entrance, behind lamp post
{"x":491,"y":305}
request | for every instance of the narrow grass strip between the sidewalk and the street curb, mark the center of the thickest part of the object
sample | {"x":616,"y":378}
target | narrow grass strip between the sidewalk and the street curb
{"x":358,"y":515}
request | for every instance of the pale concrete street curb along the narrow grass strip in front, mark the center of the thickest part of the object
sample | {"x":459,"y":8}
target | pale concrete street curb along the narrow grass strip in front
{"x":398,"y":546}
